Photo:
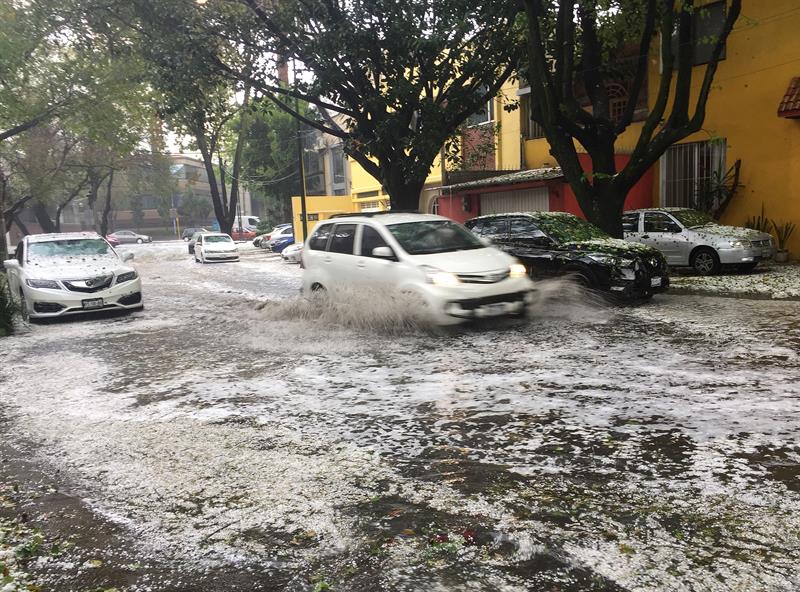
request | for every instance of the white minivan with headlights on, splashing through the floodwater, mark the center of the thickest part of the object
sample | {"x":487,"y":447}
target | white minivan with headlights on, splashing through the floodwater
{"x":449,"y":270}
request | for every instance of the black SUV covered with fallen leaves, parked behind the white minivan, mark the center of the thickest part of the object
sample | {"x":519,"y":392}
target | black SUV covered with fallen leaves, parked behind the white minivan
{"x":558,"y":243}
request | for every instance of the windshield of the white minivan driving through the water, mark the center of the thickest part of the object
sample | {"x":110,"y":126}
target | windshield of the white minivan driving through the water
{"x":433,"y":236}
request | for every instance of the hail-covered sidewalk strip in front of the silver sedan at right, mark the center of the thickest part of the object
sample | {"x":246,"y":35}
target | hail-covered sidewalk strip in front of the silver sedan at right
{"x":769,"y":281}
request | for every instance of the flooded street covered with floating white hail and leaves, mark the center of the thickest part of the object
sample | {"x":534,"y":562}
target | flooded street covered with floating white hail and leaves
{"x":234,"y":437}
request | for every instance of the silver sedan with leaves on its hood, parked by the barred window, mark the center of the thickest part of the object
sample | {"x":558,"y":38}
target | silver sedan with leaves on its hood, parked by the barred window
{"x":690,"y":238}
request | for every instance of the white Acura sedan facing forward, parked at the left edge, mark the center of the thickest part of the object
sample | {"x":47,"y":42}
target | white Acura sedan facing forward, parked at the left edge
{"x":61,"y":274}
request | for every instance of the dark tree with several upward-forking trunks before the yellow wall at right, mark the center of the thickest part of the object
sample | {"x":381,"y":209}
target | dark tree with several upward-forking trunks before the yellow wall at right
{"x":579,"y":44}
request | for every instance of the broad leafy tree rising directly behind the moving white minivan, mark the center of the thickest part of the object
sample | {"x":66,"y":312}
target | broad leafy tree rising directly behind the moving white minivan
{"x":403,"y":74}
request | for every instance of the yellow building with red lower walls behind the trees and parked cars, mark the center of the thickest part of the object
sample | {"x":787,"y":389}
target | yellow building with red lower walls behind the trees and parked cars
{"x":752,"y":115}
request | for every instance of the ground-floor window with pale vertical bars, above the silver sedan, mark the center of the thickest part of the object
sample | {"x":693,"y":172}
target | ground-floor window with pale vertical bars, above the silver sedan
{"x":688,"y":168}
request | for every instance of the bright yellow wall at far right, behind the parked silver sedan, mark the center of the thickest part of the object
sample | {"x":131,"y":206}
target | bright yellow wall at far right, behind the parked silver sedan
{"x":763,"y":55}
